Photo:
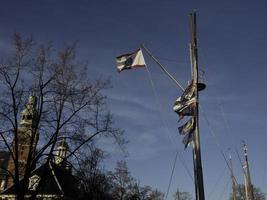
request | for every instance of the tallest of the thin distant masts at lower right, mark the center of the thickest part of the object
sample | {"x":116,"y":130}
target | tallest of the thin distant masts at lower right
{"x":248,"y":184}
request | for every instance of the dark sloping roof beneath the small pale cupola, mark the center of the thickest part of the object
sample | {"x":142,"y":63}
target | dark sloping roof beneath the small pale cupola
{"x":54,"y":180}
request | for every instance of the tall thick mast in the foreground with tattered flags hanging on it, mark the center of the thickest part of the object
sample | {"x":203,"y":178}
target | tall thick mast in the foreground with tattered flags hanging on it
{"x":198,"y":174}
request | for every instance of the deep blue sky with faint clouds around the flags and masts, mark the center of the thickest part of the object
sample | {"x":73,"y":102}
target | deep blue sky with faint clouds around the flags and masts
{"x":232,"y":51}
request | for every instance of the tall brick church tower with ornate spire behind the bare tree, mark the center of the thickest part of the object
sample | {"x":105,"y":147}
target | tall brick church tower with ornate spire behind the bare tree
{"x":27,"y":139}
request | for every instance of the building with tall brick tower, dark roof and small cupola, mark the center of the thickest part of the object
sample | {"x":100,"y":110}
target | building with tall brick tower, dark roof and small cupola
{"x":52,"y":180}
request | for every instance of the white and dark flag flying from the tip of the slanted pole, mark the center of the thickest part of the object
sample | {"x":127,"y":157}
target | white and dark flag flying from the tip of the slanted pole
{"x":130,"y":60}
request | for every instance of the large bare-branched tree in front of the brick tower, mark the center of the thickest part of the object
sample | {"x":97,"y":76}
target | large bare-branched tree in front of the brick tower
{"x":63,"y":103}
